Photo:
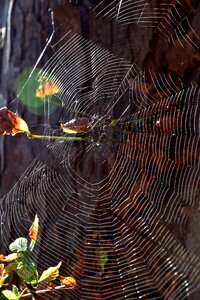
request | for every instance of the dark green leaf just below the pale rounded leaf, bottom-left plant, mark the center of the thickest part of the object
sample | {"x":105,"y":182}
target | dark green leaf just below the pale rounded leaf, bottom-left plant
{"x":27,"y":270}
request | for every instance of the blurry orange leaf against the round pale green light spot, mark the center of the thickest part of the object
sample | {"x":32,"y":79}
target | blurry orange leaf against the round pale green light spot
{"x":46,"y":88}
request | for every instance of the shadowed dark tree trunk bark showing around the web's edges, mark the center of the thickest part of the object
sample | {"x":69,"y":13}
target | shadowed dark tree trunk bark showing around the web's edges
{"x":24,"y":28}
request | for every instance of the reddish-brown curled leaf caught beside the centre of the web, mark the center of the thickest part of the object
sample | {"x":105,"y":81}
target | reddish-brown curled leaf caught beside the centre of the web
{"x":78,"y":125}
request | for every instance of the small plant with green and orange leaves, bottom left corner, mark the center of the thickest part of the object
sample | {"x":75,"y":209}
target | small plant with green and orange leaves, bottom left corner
{"x":21,"y":262}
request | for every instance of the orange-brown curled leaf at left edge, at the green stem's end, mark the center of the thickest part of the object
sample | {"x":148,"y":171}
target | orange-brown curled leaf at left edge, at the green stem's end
{"x":11,"y":123}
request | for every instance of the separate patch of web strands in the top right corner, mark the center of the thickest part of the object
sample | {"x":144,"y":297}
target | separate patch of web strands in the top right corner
{"x":166,"y":13}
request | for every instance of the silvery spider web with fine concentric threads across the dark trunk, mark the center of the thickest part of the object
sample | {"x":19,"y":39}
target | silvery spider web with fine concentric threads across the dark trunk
{"x":114,"y":206}
